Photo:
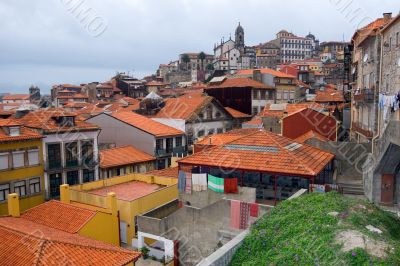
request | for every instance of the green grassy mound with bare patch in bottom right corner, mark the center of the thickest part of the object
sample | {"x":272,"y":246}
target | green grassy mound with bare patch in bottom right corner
{"x":323,"y":229}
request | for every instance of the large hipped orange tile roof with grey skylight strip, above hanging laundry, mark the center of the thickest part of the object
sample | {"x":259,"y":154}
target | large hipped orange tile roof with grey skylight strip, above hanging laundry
{"x":266,"y":152}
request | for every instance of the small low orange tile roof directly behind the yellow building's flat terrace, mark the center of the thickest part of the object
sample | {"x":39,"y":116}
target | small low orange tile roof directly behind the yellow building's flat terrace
{"x":124,"y":155}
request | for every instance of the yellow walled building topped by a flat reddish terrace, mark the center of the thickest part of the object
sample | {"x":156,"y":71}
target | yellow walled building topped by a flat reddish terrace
{"x":136,"y":194}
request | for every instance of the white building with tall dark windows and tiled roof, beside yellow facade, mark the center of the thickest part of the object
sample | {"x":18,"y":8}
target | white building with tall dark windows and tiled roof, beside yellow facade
{"x":70,"y":148}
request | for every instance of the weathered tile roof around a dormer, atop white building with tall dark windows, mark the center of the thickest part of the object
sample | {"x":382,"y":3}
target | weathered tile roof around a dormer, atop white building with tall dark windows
{"x":44,"y":119}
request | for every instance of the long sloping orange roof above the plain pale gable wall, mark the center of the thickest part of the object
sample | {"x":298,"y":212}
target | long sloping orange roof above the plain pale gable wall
{"x":146,"y":124}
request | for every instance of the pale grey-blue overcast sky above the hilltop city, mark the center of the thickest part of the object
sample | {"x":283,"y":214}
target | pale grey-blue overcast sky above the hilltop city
{"x":45,"y":42}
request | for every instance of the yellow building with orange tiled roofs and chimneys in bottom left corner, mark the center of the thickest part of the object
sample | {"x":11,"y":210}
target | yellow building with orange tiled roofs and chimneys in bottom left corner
{"x":58,"y":233}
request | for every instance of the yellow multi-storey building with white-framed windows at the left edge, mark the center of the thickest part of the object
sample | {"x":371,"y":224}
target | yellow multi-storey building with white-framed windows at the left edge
{"x":21,"y":165}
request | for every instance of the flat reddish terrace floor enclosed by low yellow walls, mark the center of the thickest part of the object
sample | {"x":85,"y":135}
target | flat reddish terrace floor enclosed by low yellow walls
{"x":128,"y":191}
